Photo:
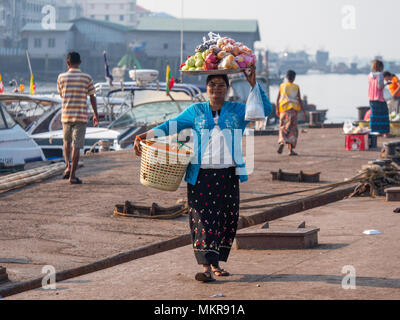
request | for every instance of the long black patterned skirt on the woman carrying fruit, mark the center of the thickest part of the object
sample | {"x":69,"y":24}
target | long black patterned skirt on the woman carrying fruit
{"x":214,"y":214}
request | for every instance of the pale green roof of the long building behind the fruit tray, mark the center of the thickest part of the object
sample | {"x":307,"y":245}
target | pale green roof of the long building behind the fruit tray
{"x":197,"y":25}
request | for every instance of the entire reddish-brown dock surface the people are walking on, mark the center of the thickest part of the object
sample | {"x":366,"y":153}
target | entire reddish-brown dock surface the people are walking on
{"x":54,"y":223}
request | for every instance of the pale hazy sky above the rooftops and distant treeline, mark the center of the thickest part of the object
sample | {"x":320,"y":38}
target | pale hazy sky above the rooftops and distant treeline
{"x":345,"y":28}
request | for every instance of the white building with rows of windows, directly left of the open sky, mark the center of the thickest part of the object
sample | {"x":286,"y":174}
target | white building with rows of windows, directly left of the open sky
{"x":116,"y":11}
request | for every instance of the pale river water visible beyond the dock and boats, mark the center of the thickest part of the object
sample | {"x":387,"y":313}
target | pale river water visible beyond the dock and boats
{"x":340,"y":94}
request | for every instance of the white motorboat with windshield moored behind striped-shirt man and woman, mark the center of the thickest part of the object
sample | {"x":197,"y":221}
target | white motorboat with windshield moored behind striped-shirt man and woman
{"x":148,"y":107}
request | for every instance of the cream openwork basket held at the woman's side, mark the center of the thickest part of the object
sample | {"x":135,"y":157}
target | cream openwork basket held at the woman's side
{"x":161,"y":169}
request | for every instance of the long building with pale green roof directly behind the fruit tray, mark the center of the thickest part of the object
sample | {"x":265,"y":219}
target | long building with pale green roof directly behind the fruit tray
{"x":162,"y":38}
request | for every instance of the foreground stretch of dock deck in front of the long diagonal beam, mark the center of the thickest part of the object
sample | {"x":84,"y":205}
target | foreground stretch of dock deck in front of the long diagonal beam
{"x":282,"y":274}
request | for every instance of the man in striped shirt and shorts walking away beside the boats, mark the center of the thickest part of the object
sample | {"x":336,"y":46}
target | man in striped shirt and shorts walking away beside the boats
{"x":74,"y":87}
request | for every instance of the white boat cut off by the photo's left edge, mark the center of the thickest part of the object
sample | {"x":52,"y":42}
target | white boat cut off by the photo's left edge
{"x":16,"y":147}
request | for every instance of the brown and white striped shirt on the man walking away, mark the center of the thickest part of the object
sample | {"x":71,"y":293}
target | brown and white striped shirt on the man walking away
{"x":74,"y":87}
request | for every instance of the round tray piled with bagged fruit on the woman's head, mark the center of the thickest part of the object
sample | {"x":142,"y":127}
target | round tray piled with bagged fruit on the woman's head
{"x":219,"y":55}
